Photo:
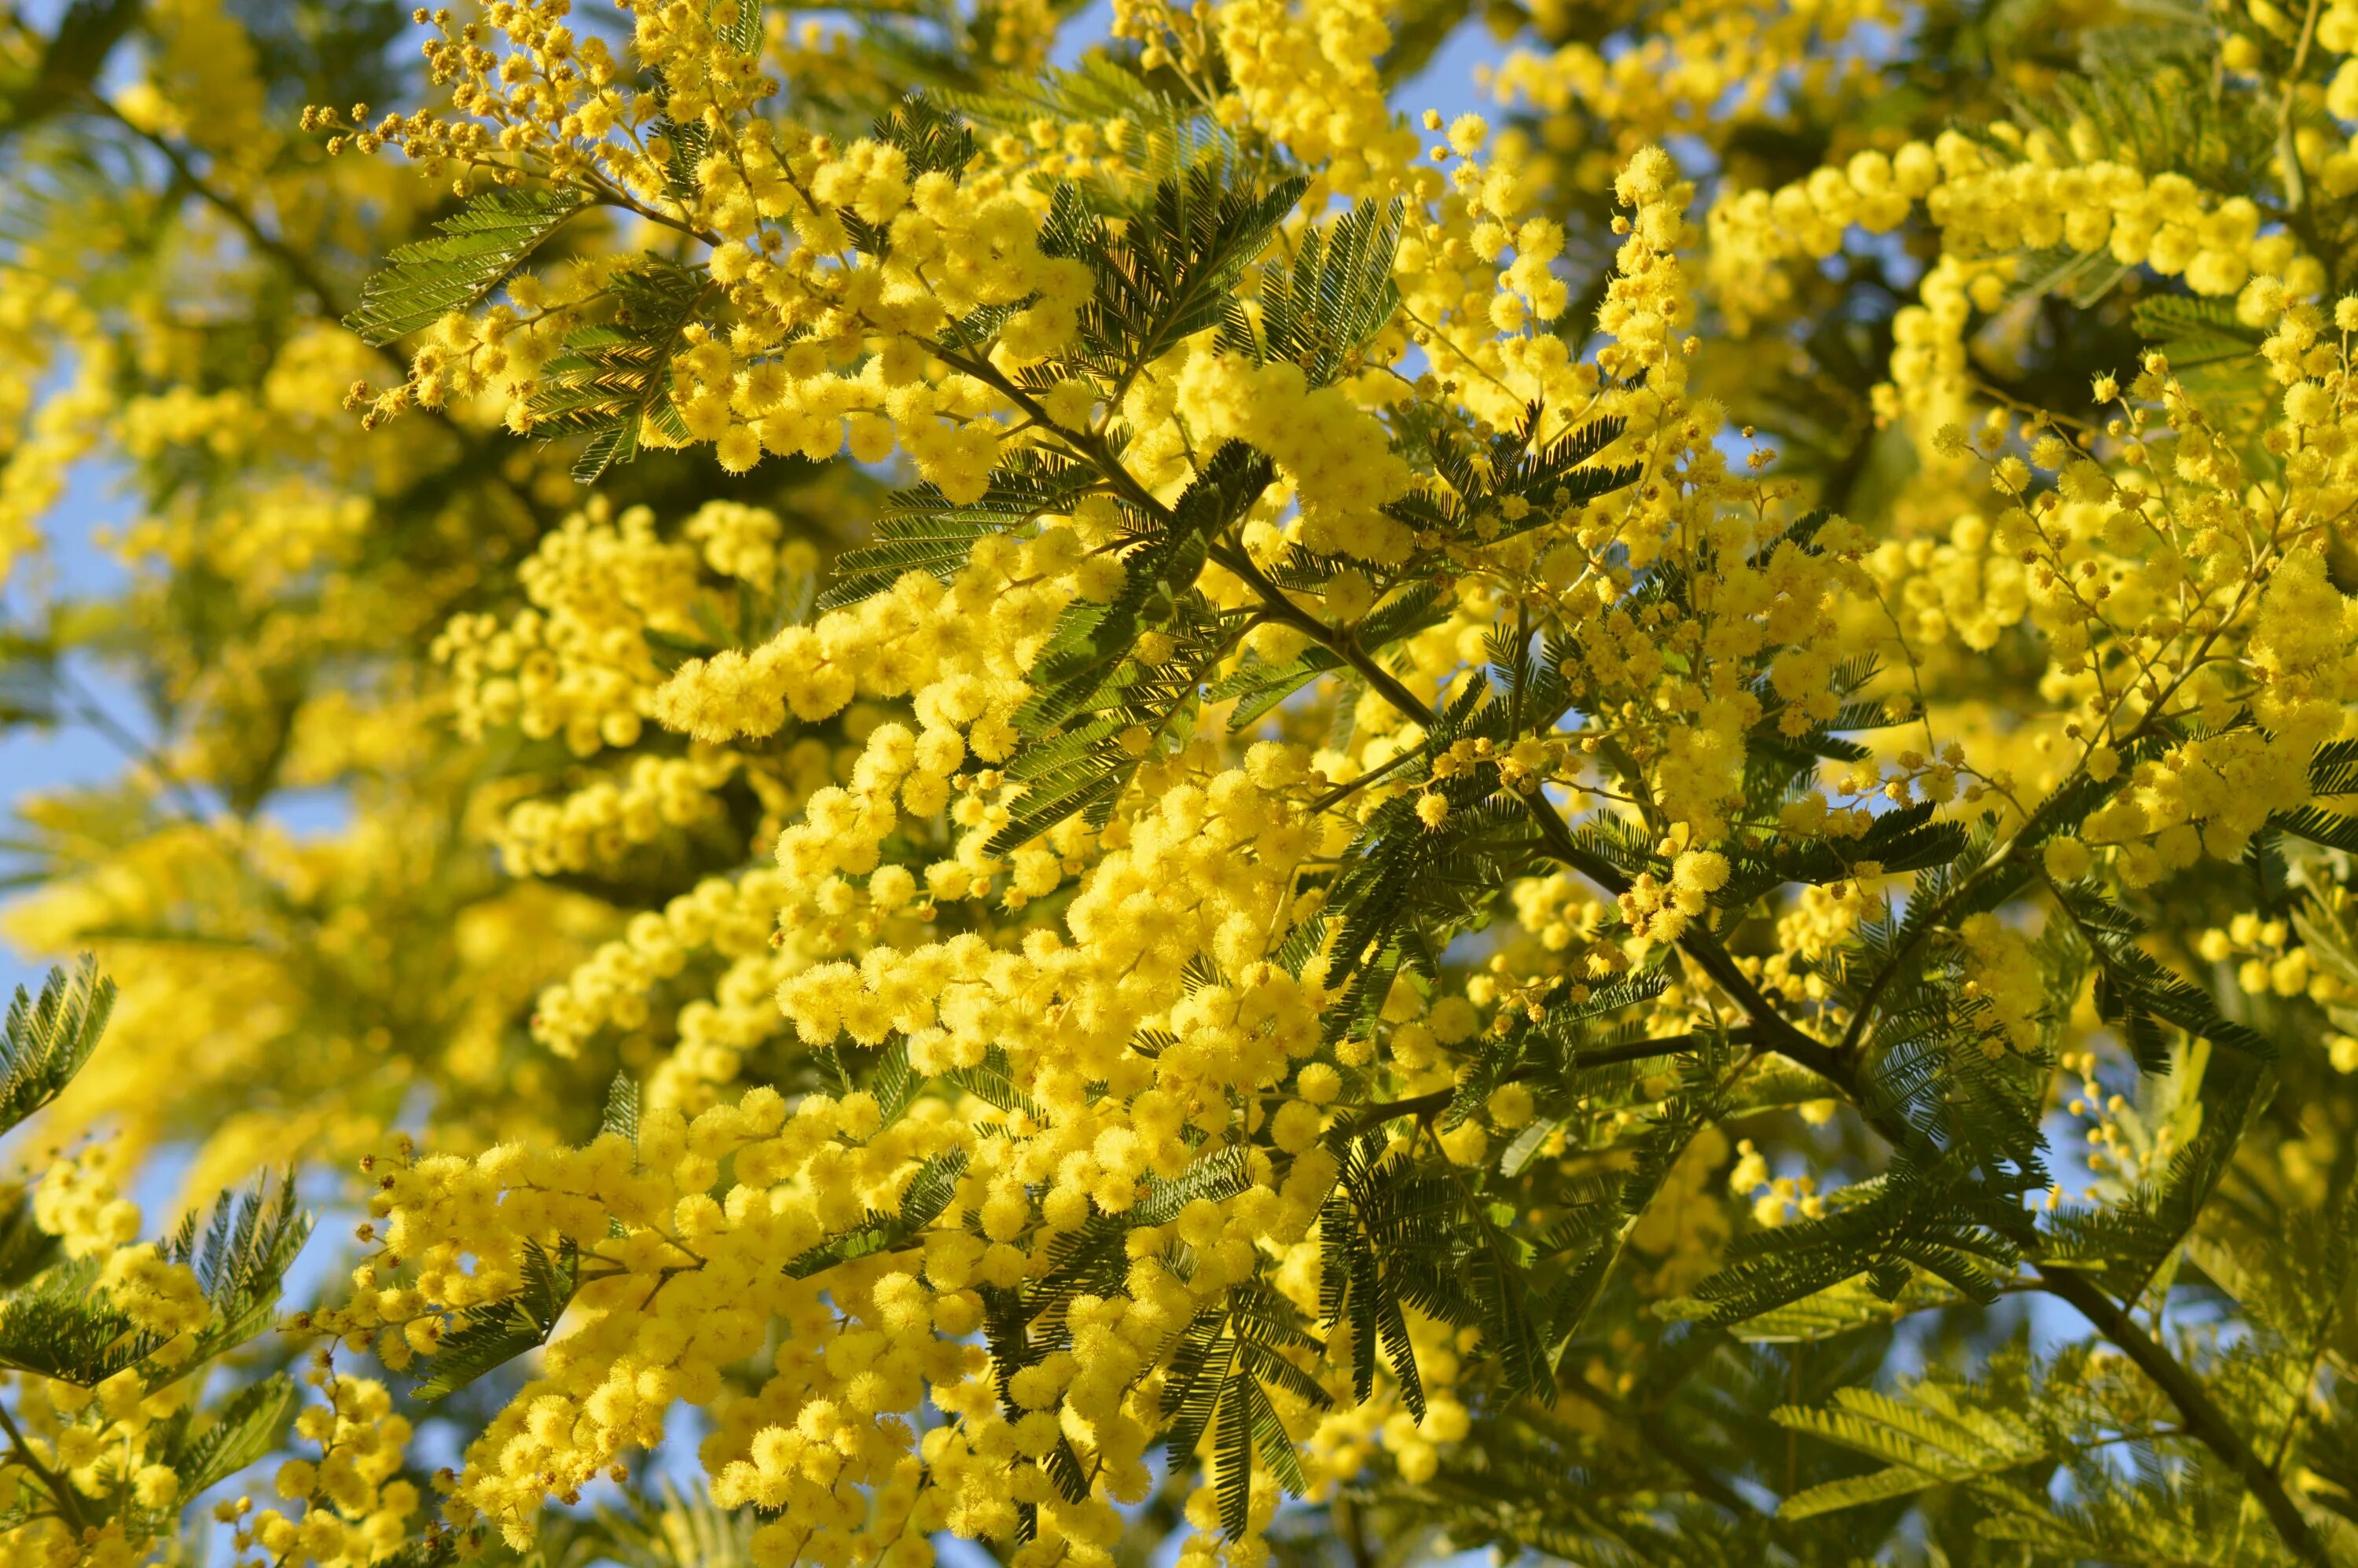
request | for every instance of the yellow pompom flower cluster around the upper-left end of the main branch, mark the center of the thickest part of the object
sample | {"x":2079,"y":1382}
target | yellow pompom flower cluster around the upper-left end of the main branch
{"x":822,"y":353}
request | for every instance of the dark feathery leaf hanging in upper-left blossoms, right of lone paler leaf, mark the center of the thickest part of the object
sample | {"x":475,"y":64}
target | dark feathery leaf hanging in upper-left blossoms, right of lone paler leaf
{"x":614,"y":378}
